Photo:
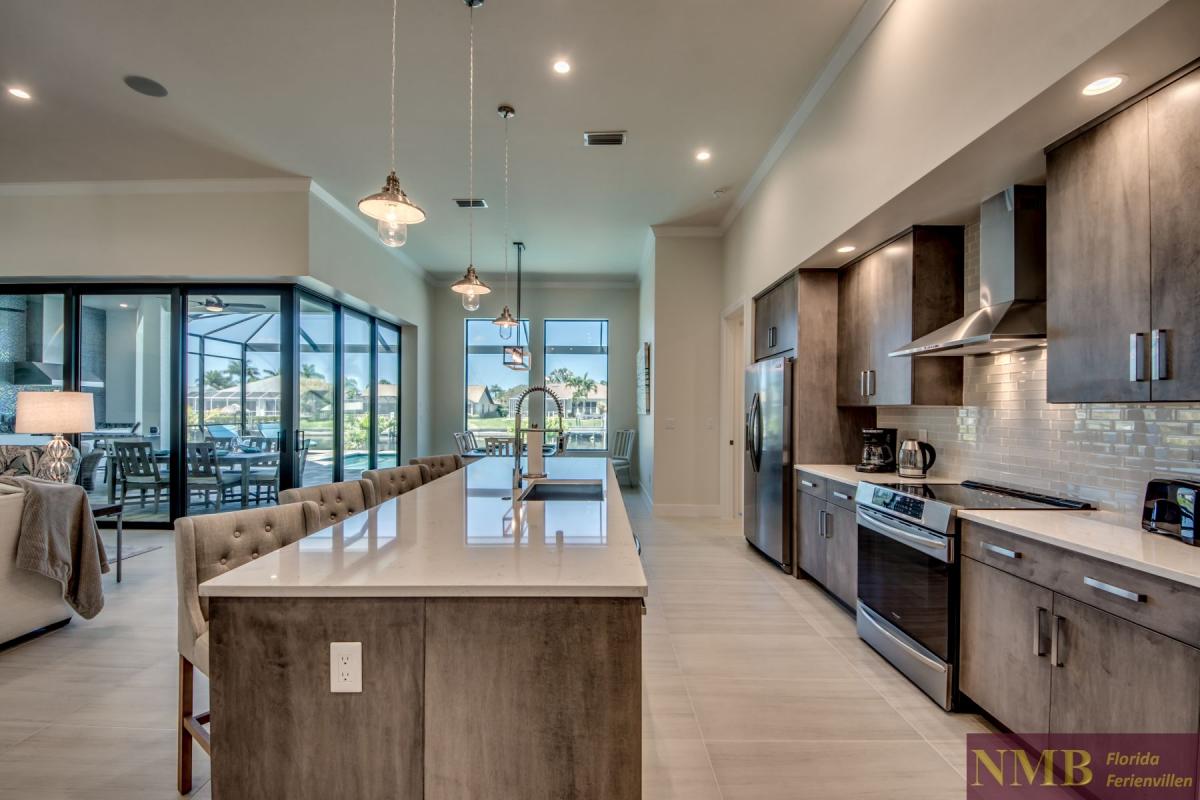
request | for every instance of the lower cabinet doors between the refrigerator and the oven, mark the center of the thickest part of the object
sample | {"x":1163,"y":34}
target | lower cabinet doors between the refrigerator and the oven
{"x":829,"y":542}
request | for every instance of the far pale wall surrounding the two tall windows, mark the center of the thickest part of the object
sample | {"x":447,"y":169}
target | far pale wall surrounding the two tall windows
{"x":617,"y":304}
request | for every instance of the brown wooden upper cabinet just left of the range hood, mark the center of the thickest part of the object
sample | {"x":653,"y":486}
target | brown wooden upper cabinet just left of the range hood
{"x":899,"y":292}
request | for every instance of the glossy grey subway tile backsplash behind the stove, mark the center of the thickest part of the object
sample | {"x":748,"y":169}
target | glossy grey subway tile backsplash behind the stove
{"x":1006,"y":431}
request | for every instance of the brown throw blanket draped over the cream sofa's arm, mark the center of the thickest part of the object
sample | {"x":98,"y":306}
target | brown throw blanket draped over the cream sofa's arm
{"x":59,"y":539}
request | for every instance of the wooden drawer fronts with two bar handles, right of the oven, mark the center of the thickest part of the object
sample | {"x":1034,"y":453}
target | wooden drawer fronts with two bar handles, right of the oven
{"x":1148,"y":600}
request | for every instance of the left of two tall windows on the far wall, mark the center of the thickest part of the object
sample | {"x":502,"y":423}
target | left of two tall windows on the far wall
{"x":493,"y":389}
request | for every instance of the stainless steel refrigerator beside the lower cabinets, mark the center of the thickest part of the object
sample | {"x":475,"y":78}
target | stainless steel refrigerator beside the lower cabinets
{"x":767,"y":514}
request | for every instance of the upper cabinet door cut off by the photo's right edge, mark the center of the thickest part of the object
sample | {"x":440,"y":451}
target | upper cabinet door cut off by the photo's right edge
{"x":1175,"y":246}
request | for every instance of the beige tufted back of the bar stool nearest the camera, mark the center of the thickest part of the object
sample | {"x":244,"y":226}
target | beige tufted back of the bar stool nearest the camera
{"x":215,"y":544}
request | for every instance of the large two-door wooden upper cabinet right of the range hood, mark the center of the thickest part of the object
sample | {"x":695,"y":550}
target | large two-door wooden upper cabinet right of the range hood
{"x":1124,"y":255}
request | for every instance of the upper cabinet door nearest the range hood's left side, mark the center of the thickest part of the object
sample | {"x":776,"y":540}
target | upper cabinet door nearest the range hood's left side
{"x":891,"y":306}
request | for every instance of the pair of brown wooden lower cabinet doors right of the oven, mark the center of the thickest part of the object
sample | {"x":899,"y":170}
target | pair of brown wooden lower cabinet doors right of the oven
{"x":1043,"y":663}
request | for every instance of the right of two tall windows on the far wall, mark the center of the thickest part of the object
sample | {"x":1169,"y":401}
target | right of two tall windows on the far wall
{"x":577,"y":366}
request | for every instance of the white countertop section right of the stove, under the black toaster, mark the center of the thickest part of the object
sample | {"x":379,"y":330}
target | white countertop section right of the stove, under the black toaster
{"x":1094,"y":533}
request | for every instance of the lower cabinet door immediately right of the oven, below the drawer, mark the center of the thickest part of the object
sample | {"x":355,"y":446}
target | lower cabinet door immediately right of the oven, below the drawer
{"x":1004,"y":647}
